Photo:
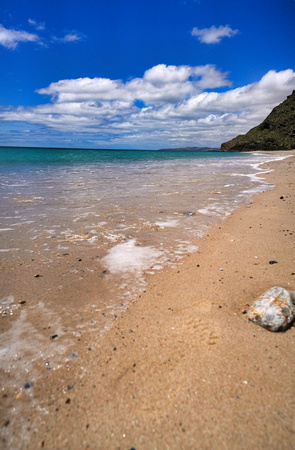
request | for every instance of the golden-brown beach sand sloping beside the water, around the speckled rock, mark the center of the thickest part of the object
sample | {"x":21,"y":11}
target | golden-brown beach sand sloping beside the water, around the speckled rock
{"x":182,"y":367}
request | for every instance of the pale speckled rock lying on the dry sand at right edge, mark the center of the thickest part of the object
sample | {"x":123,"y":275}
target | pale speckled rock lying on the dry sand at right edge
{"x":273,"y":310}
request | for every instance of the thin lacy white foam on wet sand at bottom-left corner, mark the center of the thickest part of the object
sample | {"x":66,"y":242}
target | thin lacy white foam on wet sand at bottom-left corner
{"x":22,"y":347}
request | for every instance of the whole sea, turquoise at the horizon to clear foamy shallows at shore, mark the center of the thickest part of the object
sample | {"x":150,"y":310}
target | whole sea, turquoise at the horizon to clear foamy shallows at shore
{"x":124,"y":215}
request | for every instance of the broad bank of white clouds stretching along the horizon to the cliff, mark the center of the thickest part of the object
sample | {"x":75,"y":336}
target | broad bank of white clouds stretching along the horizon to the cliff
{"x":168,"y":106}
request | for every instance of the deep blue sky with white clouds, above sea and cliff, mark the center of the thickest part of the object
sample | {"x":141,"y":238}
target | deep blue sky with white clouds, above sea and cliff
{"x":141,"y":74}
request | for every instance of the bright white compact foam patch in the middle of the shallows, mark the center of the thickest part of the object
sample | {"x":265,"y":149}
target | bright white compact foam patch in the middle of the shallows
{"x":129,"y":258}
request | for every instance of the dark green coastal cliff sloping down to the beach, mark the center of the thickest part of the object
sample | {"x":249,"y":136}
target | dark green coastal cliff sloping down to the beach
{"x":276,"y":132}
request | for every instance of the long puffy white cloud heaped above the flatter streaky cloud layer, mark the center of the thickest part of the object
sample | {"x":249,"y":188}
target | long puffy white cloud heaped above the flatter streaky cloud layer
{"x":159,"y":85}
